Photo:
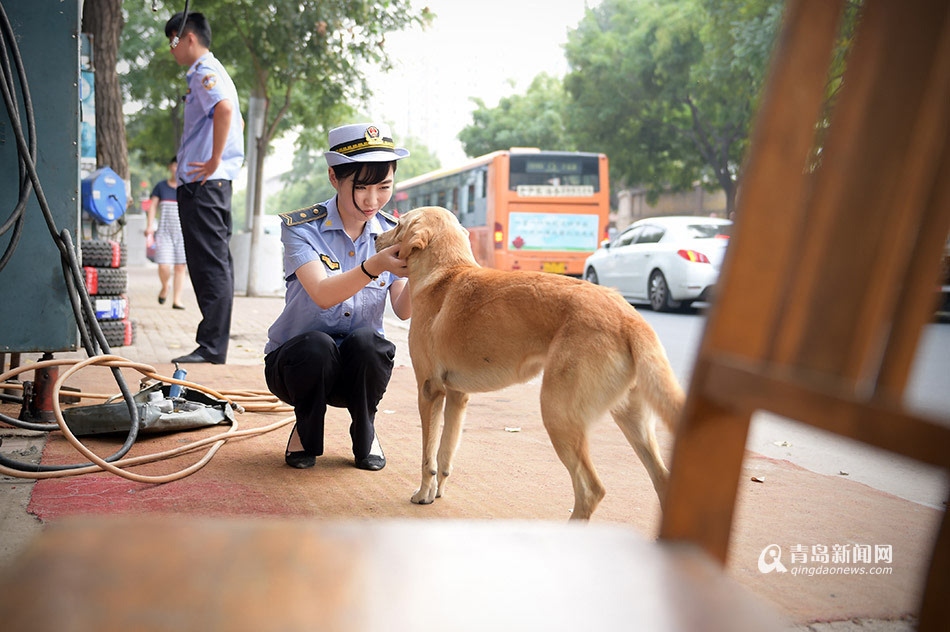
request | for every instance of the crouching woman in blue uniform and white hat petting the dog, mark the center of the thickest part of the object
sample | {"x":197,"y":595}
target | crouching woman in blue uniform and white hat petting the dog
{"x":328,"y":347}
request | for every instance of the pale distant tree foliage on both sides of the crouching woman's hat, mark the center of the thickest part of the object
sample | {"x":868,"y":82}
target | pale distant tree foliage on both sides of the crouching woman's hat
{"x":307,"y":182}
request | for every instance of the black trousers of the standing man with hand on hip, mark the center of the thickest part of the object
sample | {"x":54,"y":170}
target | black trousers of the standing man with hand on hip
{"x":205,"y":214}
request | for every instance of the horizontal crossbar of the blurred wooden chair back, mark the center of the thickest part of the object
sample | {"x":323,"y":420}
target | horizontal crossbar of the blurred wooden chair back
{"x":741,"y":387}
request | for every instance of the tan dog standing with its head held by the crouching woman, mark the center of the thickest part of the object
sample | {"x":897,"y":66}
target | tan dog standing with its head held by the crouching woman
{"x":475,"y":330}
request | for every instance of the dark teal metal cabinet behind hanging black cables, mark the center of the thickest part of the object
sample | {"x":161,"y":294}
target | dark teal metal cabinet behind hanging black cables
{"x":35,"y":311}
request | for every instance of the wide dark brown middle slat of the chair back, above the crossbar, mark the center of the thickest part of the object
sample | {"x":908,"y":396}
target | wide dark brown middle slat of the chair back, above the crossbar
{"x":838,"y":314}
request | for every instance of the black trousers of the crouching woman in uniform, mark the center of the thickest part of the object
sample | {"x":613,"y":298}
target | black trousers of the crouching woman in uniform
{"x":310,"y":372}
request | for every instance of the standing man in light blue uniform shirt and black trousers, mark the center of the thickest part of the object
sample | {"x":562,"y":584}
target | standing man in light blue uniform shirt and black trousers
{"x":209,"y":158}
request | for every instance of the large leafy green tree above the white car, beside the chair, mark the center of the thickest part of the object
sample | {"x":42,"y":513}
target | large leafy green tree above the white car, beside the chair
{"x":668,"y":89}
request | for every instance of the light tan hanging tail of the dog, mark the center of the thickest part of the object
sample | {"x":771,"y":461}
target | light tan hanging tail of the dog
{"x":656,"y":380}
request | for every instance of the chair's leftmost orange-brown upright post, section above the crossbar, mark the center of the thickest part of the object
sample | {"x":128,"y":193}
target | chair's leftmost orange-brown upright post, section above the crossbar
{"x":763,"y":247}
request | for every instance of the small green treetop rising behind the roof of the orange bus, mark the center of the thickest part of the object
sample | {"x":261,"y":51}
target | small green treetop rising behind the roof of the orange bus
{"x":535,"y":119}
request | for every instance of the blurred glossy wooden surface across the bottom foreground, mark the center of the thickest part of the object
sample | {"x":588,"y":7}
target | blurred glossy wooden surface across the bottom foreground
{"x":180,"y":573}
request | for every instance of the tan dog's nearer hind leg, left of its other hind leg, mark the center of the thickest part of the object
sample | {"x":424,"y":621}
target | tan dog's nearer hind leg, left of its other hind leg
{"x":567,"y":428}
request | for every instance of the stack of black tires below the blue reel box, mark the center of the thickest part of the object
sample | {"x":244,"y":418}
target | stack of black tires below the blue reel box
{"x":107,"y":280}
